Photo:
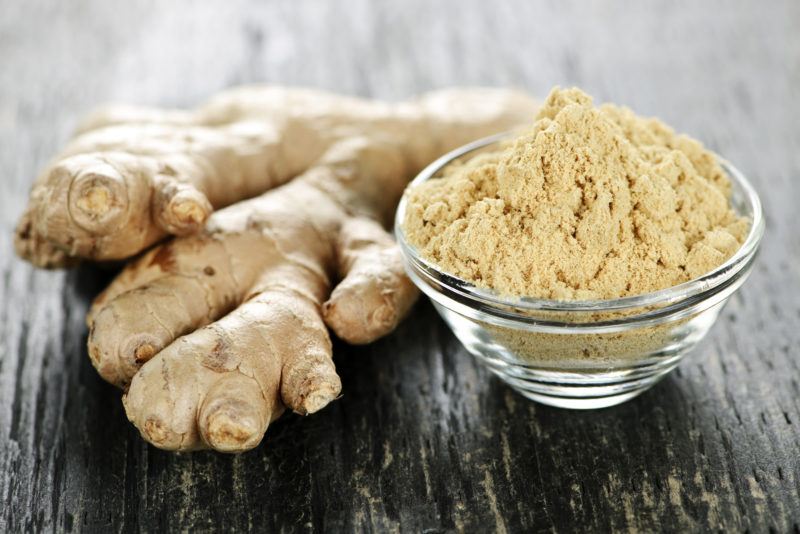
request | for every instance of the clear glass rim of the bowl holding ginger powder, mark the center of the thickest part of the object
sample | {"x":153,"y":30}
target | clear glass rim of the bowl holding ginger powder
{"x":671,"y":295}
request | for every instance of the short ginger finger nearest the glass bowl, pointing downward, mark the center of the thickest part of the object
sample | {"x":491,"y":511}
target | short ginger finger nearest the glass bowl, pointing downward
{"x":374,"y":294}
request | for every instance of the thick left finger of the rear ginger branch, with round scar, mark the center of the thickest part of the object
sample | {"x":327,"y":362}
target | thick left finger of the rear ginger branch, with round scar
{"x":116,"y":191}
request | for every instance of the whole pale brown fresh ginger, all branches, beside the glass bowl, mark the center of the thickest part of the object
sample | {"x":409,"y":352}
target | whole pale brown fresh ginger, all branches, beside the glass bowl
{"x":215,"y":333}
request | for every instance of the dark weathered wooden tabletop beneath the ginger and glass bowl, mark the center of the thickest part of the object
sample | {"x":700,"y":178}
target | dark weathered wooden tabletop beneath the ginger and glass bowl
{"x":423,"y":439}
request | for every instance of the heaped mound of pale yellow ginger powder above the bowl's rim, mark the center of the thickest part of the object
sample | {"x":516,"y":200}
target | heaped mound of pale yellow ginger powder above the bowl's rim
{"x":591,"y":203}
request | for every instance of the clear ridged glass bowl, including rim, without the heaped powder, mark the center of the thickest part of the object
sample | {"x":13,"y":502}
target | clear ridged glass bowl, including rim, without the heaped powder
{"x":582,"y":354}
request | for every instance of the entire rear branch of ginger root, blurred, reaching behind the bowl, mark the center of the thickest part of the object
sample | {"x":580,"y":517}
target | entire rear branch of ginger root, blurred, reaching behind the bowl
{"x":135,"y":175}
